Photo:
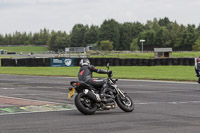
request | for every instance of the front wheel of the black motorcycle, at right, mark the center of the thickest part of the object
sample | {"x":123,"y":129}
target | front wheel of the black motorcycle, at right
{"x":121,"y":102}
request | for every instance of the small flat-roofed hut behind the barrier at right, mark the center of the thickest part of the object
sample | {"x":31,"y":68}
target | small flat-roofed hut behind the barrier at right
{"x":162,"y":52}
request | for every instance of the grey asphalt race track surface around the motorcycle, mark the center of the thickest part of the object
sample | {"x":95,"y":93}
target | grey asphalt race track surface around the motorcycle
{"x":160,"y":107}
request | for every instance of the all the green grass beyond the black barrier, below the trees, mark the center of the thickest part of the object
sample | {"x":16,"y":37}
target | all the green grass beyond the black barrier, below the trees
{"x":99,"y":54}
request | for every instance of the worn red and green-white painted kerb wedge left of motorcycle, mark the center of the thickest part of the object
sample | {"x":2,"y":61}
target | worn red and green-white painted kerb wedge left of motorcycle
{"x":21,"y":105}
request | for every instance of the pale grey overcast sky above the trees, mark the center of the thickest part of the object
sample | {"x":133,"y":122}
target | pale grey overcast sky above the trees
{"x":33,"y":15}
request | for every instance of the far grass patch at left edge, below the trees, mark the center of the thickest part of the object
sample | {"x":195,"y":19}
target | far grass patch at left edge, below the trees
{"x":25,"y":49}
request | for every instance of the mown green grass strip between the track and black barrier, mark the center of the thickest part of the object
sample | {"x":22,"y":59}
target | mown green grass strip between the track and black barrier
{"x":176,"y":73}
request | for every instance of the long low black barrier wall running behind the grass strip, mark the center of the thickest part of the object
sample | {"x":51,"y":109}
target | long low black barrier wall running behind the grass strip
{"x":99,"y":62}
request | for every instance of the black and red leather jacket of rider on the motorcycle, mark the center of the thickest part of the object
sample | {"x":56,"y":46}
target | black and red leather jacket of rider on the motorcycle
{"x":85,"y":72}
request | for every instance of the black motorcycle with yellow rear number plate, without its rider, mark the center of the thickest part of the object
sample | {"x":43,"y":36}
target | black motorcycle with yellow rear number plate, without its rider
{"x":88,"y":99}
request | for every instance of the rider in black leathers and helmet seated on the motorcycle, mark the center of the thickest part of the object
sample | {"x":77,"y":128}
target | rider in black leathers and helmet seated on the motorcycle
{"x":85,"y":74}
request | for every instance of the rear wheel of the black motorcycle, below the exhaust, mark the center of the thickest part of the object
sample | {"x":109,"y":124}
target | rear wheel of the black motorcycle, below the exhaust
{"x":81,"y":105}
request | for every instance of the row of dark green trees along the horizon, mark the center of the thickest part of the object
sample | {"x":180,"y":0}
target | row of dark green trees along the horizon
{"x":112,"y":35}
